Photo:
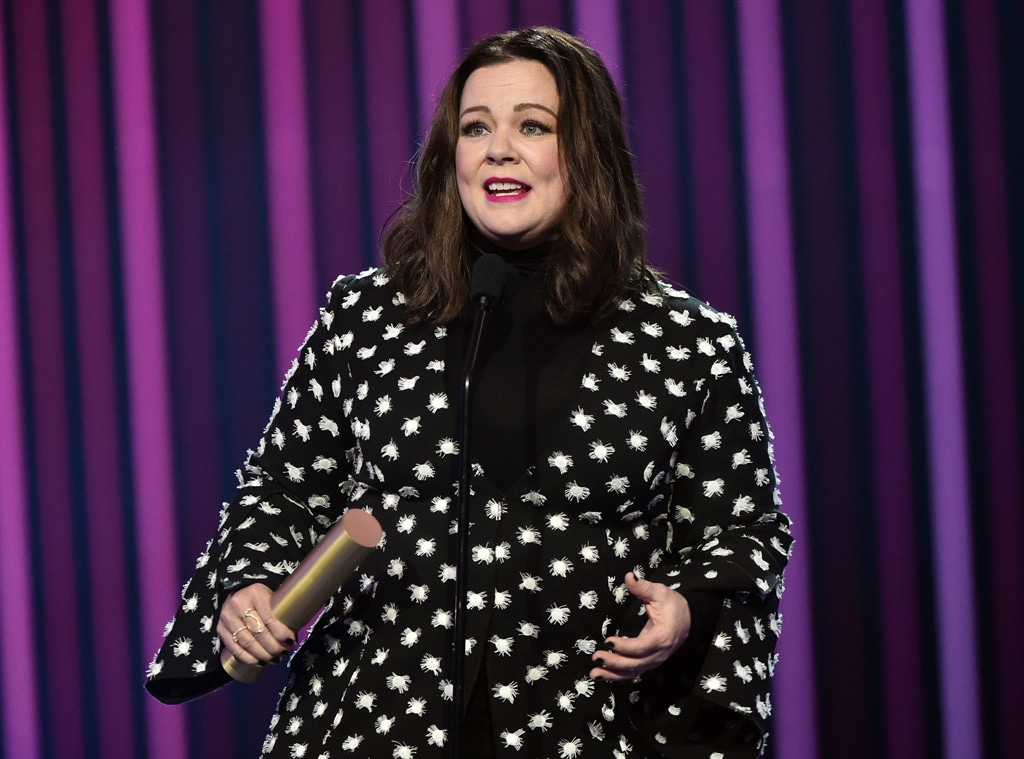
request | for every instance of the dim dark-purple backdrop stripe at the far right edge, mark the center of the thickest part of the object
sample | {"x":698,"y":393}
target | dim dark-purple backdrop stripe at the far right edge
{"x":1002,"y":392}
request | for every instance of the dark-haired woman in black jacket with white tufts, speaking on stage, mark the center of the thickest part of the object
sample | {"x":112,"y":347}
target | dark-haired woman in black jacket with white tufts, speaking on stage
{"x":627,"y":549}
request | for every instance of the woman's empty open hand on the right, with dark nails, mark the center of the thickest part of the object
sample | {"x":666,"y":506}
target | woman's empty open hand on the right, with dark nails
{"x":667,"y":629}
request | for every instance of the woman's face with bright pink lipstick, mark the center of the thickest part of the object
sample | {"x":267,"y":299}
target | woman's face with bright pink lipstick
{"x":506,"y":161}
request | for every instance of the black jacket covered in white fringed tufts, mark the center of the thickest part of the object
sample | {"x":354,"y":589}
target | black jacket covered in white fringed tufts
{"x":661,"y":463}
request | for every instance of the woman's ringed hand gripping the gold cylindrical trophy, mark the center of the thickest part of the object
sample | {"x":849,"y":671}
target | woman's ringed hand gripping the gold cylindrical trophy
{"x":248,"y":629}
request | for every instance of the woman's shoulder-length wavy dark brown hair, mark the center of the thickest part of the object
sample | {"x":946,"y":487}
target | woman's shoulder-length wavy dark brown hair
{"x":600,"y":251}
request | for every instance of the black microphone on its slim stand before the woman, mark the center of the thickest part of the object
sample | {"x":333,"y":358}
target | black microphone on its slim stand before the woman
{"x":487,"y":283}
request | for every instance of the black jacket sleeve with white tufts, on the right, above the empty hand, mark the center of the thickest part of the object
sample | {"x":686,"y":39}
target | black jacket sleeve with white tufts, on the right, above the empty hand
{"x":730,"y":546}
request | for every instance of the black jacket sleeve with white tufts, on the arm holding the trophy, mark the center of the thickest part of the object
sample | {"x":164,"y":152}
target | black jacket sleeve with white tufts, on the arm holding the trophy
{"x":290,"y":493}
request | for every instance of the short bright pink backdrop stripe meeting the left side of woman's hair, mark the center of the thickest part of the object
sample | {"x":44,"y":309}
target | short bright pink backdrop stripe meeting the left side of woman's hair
{"x":436,"y":24}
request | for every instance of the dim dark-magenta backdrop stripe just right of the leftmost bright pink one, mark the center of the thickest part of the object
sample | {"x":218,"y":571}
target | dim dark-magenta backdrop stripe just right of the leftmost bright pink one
{"x":48,"y":375}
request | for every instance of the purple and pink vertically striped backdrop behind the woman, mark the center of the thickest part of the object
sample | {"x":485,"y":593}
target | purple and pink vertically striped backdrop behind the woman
{"x":181,"y":182}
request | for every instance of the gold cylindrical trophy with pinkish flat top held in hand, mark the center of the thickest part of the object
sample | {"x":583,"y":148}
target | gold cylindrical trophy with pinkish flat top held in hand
{"x":316,"y":580}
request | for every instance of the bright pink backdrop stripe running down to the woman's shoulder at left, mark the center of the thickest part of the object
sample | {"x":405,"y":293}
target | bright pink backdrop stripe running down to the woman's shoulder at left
{"x":288,"y":171}
